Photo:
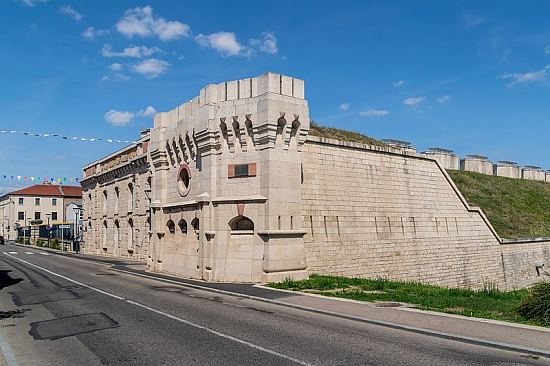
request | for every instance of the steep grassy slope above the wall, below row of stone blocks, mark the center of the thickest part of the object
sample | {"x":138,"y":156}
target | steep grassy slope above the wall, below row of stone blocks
{"x":516,"y":208}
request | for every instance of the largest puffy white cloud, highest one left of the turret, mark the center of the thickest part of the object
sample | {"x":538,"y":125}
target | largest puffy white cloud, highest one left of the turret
{"x":142,"y":23}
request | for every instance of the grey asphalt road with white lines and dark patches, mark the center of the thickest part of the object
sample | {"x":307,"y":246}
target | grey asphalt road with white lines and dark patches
{"x":61,"y":310}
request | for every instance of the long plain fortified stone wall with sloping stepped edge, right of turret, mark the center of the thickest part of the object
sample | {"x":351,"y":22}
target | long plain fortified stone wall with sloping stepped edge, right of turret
{"x":401,"y":217}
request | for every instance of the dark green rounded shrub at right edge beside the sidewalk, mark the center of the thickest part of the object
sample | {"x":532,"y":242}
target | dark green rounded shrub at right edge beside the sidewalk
{"x":536,"y":305}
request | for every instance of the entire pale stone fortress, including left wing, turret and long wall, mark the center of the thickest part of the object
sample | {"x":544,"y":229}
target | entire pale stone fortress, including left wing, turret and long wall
{"x":230,"y":186}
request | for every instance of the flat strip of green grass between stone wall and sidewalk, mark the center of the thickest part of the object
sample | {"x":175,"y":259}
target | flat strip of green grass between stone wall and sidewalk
{"x":489,"y":303}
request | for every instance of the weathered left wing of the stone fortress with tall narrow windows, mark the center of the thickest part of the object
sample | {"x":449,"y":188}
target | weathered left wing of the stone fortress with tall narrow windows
{"x":116,"y":201}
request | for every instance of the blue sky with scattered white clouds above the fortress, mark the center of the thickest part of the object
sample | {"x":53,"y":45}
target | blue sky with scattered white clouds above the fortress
{"x":465,"y":75}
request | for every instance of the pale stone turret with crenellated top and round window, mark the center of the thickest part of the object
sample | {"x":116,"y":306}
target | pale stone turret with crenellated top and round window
{"x":230,"y":159}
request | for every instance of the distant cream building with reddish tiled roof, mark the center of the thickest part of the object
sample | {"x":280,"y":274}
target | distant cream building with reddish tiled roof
{"x":46,"y":202}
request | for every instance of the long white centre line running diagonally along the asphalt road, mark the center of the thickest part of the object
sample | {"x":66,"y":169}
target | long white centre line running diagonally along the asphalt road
{"x":187,"y":322}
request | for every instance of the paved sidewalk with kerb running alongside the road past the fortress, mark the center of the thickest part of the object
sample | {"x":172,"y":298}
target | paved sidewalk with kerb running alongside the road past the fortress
{"x":492,"y":333}
